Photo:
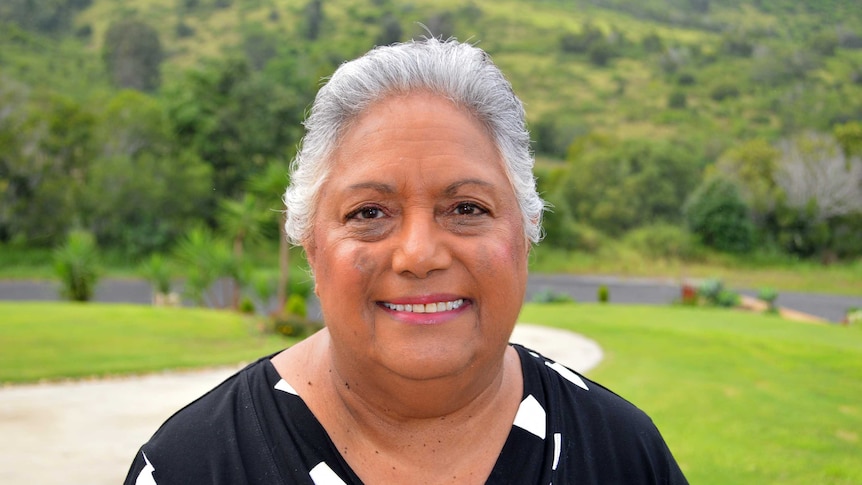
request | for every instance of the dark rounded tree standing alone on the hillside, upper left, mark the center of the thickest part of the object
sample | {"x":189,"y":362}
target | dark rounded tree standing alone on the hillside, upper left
{"x":133,"y":55}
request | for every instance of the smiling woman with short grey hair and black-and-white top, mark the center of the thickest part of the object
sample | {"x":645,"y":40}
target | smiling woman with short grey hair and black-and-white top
{"x":414,"y":200}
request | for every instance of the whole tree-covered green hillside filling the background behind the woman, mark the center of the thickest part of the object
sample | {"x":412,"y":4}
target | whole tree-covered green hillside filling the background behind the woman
{"x":680,"y":126}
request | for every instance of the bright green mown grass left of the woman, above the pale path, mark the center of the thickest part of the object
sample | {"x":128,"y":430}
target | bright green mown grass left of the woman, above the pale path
{"x":63,"y":340}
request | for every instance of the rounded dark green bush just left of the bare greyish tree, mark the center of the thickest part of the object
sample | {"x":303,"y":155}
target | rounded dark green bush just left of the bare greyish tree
{"x":716,"y":213}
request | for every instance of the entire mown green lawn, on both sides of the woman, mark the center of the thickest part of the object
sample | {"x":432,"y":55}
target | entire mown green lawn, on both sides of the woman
{"x":741,"y":398}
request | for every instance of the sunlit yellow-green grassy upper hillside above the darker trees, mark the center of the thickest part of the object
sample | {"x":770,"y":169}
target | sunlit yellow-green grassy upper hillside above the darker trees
{"x":762,"y":55}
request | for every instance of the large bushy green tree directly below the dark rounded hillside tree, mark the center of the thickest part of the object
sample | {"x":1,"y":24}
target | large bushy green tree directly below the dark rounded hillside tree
{"x":142,"y":190}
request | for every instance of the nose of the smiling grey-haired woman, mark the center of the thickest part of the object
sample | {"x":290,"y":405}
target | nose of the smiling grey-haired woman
{"x":420,"y":247}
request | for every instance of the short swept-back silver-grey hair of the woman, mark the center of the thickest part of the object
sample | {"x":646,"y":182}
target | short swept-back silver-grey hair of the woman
{"x":460,"y":72}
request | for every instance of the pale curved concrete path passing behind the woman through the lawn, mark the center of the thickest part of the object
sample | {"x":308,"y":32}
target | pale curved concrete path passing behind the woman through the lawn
{"x":89,"y":431}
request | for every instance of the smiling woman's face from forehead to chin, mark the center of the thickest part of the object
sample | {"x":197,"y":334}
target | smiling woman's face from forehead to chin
{"x":418,"y":248}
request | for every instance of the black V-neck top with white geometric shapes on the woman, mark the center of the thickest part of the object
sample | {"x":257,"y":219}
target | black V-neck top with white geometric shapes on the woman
{"x":255,"y":429}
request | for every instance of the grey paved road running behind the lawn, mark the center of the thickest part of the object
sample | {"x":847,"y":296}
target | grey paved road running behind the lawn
{"x":581,"y":288}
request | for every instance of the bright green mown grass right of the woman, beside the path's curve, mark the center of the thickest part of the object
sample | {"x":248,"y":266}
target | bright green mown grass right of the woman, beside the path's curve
{"x":740,"y":398}
